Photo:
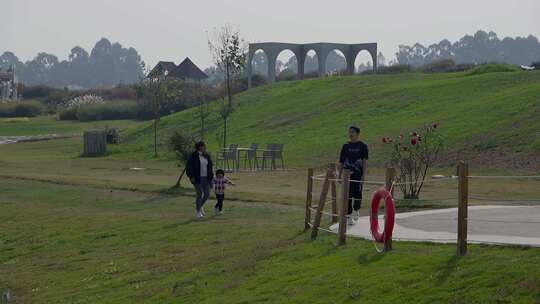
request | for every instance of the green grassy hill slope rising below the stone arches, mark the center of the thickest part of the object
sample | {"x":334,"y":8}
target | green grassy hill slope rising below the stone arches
{"x":490,"y":117}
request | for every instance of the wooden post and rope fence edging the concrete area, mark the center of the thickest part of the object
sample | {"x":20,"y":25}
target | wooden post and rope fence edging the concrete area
{"x":463,"y":196}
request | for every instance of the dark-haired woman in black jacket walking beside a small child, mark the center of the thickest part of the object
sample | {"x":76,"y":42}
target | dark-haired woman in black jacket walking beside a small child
{"x":199,"y":169}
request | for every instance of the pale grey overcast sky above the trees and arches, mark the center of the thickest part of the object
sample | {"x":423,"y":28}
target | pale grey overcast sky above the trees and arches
{"x":174,"y":29}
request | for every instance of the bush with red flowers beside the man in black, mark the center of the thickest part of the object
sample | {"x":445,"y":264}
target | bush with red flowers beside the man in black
{"x":413,"y":154}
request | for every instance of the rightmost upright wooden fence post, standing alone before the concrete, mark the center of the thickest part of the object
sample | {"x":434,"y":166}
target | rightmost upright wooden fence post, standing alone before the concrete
{"x":463,"y":188}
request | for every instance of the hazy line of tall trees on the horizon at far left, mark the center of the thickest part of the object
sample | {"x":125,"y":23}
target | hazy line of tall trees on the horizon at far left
{"x":107,"y":64}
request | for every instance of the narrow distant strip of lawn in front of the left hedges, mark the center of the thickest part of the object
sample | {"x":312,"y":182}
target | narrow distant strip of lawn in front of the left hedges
{"x":49,"y":125}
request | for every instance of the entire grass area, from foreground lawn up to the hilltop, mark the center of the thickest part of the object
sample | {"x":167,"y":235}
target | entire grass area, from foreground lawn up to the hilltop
{"x":91,"y":230}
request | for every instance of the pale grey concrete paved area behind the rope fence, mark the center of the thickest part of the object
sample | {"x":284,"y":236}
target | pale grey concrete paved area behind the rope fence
{"x":513,"y":225}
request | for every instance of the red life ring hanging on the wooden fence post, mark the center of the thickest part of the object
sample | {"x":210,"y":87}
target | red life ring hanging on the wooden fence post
{"x":390,"y":213}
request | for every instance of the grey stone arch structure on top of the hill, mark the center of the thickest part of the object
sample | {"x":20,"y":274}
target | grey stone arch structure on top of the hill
{"x":322,"y":49}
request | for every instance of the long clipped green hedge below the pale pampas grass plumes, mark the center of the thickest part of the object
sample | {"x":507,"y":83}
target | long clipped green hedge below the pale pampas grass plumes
{"x":111,"y":110}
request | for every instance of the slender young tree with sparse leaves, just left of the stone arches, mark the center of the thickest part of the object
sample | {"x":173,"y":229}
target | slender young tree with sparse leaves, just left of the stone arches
{"x":229,"y":54}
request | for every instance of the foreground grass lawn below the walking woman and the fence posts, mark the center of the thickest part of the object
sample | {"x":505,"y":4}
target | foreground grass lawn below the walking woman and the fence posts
{"x":73,"y":244}
